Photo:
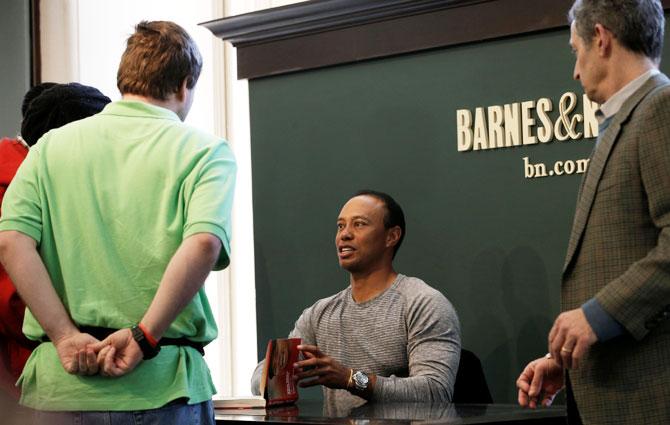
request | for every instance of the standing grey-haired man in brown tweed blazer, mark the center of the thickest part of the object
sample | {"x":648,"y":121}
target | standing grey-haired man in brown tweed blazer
{"x":612,"y":341}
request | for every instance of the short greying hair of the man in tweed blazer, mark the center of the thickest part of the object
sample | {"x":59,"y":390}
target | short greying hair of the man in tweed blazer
{"x":637,"y":24}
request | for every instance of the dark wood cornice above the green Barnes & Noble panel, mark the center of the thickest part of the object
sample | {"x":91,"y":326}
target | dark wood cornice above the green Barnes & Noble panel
{"x":321,"y":33}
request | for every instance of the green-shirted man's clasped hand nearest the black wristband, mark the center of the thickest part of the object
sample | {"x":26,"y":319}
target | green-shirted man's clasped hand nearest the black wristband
{"x":118,"y":354}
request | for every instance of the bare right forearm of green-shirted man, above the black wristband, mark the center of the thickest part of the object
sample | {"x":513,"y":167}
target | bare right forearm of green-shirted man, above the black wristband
{"x":184,"y":276}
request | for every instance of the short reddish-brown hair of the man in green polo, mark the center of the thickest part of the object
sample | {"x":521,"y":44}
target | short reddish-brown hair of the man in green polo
{"x":159,"y":56}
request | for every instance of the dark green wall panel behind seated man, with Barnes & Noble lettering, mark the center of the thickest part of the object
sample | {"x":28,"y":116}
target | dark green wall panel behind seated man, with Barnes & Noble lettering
{"x":490,"y":239}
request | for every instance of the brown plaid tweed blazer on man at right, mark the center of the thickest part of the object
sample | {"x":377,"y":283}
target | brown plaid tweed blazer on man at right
{"x":619,"y":252}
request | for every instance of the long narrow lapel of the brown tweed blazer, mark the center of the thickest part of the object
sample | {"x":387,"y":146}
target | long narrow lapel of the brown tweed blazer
{"x":599,"y":160}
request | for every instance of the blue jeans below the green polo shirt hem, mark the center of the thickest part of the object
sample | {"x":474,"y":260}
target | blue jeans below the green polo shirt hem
{"x":175,"y":413}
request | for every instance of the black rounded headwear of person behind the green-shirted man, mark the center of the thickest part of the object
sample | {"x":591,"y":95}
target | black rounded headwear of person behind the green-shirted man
{"x":58,"y":105}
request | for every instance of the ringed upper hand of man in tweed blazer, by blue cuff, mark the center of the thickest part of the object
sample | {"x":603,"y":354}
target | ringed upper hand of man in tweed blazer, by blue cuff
{"x":570,"y":337}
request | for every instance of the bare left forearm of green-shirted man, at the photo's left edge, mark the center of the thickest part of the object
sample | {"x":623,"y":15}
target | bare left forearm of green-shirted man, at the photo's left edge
{"x":20,"y":258}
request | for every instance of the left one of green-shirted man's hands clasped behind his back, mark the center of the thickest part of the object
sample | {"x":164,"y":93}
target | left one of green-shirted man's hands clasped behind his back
{"x":75,"y":353}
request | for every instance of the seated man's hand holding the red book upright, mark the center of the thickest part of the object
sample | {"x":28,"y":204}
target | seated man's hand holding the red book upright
{"x":324,"y":369}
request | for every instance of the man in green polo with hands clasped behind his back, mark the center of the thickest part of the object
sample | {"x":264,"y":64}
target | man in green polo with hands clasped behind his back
{"x":109,"y":230}
